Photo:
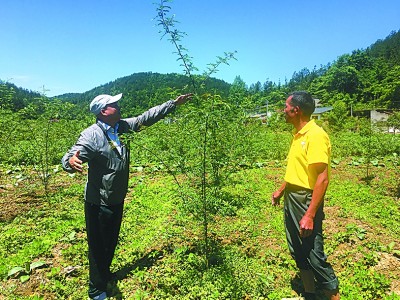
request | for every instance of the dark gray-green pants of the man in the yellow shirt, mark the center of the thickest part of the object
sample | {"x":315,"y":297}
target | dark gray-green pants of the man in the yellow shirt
{"x":307,"y":252}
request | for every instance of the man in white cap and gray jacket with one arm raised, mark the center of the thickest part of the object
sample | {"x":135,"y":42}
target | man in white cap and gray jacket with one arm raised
{"x":108,"y":159}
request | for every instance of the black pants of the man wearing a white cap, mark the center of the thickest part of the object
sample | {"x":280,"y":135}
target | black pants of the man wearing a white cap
{"x":102,"y":225}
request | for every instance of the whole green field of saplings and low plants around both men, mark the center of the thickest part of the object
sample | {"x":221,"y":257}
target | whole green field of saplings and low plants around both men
{"x":198,"y":221}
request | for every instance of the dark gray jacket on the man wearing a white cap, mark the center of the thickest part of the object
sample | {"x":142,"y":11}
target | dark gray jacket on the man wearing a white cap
{"x":108,"y":173}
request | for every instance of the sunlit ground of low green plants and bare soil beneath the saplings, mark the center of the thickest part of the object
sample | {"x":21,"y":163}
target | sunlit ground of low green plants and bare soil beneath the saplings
{"x":159,"y":254}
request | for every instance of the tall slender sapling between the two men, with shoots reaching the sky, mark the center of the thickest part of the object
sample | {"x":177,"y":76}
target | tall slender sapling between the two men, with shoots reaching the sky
{"x":208,"y":178}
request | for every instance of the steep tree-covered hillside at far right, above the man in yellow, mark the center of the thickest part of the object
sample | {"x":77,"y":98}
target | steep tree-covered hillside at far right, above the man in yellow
{"x":365,"y":78}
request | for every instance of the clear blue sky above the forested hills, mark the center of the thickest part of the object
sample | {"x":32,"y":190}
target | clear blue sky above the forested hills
{"x":74,"y":46}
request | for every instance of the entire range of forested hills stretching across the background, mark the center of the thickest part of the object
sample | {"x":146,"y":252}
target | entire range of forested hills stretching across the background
{"x":366,"y":78}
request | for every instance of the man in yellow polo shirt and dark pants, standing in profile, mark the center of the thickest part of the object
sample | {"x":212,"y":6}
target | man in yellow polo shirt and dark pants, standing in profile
{"x":305,"y":183}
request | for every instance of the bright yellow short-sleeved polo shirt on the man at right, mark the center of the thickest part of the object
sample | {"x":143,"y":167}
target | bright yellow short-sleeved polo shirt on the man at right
{"x":310,"y":145}
